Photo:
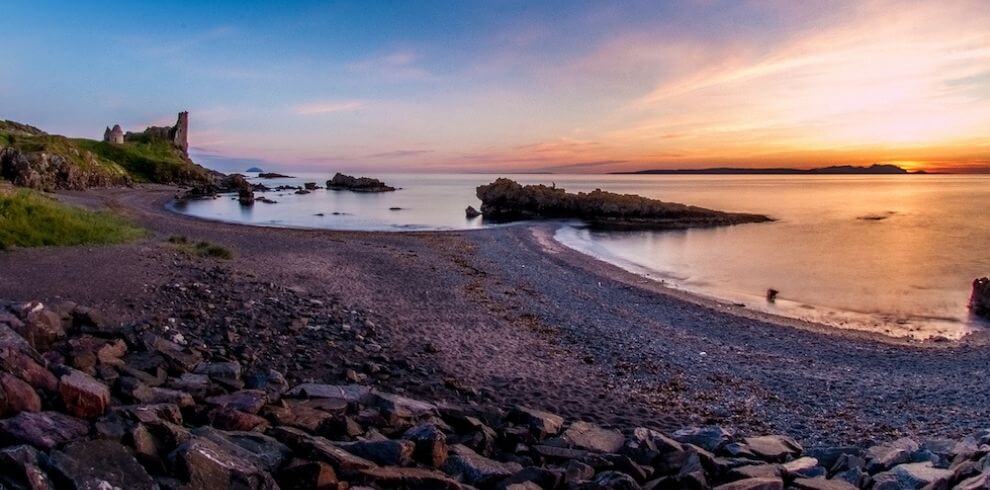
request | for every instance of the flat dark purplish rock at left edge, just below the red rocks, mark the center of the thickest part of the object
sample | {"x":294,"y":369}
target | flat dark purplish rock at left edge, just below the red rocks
{"x":43,"y":430}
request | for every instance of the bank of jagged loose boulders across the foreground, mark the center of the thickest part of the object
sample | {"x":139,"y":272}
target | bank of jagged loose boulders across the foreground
{"x":87,"y":403}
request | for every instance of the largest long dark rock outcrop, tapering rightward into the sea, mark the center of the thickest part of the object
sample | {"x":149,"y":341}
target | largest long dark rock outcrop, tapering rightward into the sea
{"x":505,"y":199}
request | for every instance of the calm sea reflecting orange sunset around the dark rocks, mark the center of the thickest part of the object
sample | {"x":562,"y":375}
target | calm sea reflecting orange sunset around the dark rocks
{"x":893,"y":254}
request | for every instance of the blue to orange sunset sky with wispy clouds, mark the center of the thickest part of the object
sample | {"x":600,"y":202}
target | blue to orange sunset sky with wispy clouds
{"x":500,"y":86}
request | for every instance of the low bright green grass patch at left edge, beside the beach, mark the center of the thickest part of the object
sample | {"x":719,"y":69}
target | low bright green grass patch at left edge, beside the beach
{"x":29,"y":219}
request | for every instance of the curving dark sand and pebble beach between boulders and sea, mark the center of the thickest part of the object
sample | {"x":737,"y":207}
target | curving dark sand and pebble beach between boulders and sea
{"x":507,"y":315}
